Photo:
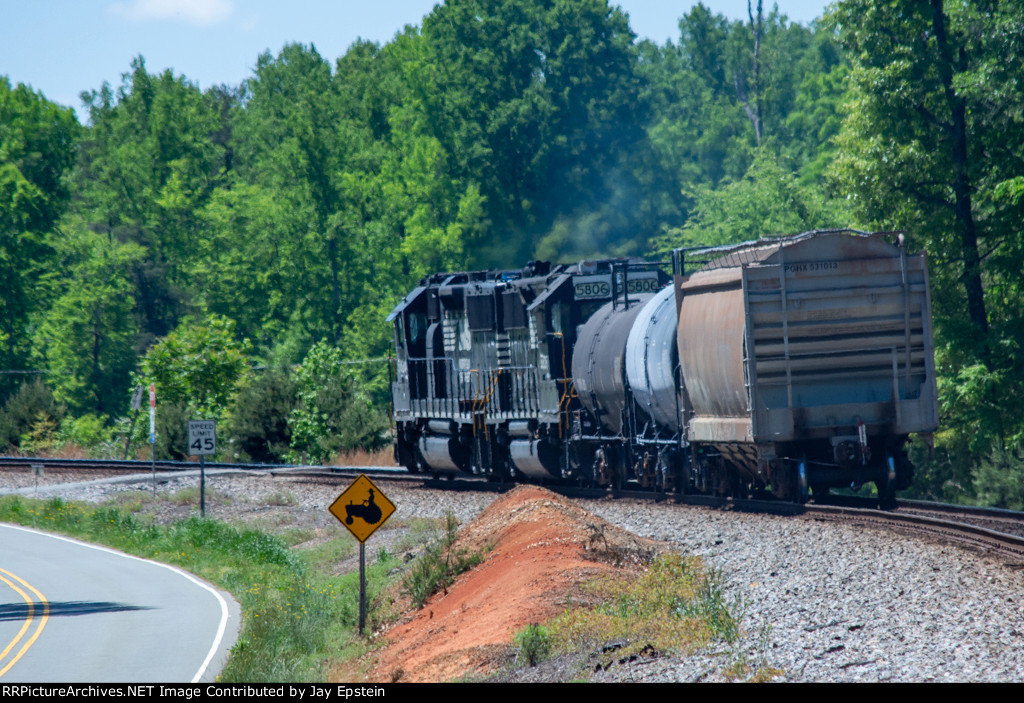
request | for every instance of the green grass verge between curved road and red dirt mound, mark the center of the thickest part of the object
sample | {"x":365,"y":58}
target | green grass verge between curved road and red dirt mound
{"x":297,"y":618}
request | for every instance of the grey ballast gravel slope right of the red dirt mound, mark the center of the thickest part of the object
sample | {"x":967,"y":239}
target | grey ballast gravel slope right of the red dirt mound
{"x":830,"y":603}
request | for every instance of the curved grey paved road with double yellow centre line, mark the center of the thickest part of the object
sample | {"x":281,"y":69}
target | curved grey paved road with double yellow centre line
{"x":78,"y":613}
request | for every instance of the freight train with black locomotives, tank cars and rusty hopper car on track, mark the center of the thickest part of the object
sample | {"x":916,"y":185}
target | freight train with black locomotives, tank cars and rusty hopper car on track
{"x":791,"y":365}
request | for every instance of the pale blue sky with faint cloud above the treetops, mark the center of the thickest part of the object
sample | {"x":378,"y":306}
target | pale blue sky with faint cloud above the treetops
{"x":63,"y":48}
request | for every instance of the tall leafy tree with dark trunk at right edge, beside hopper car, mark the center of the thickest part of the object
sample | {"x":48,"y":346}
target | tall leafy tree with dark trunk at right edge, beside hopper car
{"x":932,"y":144}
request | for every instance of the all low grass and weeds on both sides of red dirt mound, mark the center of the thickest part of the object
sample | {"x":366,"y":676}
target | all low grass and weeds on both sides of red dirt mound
{"x":301,"y":616}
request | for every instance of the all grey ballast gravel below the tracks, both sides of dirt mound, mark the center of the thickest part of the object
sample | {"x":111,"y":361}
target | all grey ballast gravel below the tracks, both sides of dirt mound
{"x":821,"y":602}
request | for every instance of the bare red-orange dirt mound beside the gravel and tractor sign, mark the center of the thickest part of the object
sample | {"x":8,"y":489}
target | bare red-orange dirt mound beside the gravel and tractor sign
{"x":543,"y":549}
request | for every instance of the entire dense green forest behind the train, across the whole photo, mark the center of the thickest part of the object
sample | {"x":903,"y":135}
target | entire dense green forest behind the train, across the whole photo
{"x":196,"y":238}
